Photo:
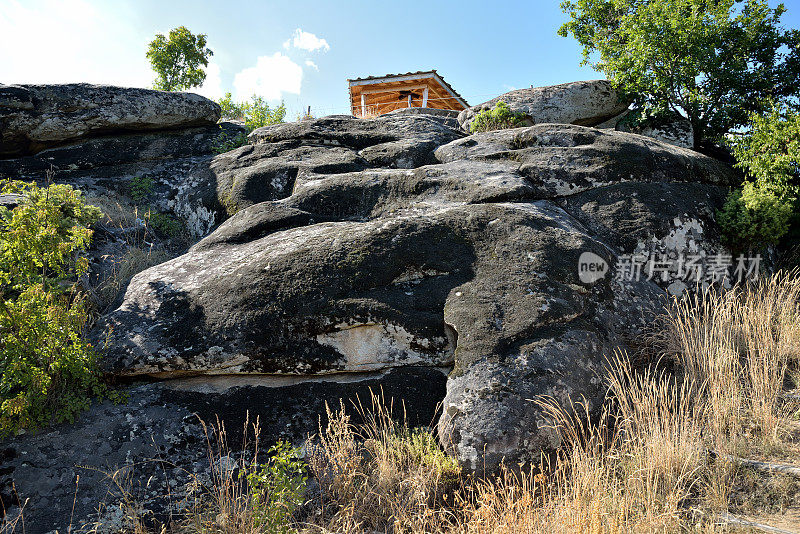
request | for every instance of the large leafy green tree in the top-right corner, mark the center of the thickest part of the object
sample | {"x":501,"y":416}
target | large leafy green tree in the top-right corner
{"x":709,"y":60}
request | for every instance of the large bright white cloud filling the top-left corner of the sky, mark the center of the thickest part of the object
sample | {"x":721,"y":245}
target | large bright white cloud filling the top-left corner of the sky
{"x":61,"y":41}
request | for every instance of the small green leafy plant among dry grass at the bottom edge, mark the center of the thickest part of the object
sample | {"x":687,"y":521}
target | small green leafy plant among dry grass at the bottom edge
{"x":277,"y":487}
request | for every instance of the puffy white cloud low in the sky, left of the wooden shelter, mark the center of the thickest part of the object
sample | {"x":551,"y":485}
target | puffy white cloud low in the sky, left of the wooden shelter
{"x":270,"y":78}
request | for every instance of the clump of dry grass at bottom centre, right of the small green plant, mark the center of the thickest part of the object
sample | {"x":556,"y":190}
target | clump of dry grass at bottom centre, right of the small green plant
{"x":380,"y":475}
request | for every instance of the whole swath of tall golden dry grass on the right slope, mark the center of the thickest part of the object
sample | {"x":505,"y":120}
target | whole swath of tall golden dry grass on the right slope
{"x":655,"y":460}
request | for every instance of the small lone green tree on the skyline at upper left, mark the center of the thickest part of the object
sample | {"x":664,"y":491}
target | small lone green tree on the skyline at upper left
{"x":178,"y":60}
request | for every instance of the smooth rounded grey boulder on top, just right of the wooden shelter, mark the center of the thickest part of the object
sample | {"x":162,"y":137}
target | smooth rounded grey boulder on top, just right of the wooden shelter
{"x":586,"y":103}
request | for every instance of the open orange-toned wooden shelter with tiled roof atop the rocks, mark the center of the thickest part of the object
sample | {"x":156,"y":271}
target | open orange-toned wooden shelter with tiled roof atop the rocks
{"x":376,"y":95}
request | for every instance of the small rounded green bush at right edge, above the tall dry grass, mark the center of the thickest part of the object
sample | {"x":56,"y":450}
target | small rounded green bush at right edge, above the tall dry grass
{"x":754,"y":216}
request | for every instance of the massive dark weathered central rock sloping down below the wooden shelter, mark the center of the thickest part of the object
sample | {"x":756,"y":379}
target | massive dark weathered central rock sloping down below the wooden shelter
{"x":469,"y":262}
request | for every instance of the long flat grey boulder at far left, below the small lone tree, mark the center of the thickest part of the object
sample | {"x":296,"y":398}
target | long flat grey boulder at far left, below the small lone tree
{"x":35,"y":117}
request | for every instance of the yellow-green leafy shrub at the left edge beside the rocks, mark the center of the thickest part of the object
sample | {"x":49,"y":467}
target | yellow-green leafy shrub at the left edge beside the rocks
{"x":48,"y":368}
